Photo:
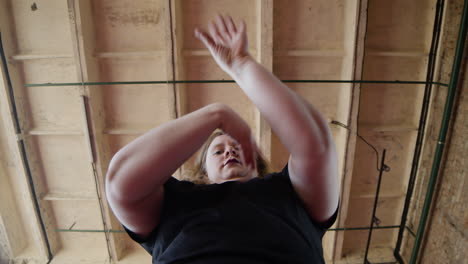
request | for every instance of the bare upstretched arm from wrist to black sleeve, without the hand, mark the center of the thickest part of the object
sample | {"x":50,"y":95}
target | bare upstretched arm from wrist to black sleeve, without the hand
{"x":313,"y":164}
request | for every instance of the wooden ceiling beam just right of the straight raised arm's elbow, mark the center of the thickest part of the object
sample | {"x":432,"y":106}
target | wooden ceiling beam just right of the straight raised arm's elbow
{"x":358,"y":59}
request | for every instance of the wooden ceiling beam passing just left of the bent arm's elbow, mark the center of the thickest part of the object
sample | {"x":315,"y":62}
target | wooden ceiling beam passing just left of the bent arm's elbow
{"x":84,"y":43}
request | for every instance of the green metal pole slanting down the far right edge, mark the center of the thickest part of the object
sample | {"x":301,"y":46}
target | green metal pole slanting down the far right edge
{"x":443,"y":132}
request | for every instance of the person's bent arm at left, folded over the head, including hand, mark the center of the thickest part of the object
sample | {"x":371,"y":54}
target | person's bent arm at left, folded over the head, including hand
{"x":137,"y":172}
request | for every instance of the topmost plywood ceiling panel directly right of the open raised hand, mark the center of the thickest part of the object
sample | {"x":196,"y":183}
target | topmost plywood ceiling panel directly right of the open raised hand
{"x":307,"y":24}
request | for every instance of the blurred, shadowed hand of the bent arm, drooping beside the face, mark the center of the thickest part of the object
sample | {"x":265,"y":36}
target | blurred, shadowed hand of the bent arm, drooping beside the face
{"x":236,"y":127}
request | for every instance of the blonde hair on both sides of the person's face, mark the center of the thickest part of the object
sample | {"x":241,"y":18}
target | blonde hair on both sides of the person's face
{"x":199,"y":174}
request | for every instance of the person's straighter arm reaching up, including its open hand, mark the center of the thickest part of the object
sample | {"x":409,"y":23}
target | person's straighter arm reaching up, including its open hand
{"x":300,"y":127}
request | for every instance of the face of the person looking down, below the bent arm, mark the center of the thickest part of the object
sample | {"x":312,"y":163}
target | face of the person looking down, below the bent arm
{"x":225,"y":161}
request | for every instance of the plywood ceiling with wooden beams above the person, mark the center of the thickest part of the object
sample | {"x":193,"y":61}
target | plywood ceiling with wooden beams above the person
{"x":71,"y":132}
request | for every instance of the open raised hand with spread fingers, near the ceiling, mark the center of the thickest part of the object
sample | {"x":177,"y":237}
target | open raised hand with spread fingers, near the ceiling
{"x":227,"y":44}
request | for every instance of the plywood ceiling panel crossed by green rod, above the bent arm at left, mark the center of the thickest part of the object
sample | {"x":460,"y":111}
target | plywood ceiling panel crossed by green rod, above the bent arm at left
{"x":134,"y":105}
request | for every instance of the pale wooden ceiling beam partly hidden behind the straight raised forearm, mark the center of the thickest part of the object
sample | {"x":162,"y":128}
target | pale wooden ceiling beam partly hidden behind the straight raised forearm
{"x":265,"y":57}
